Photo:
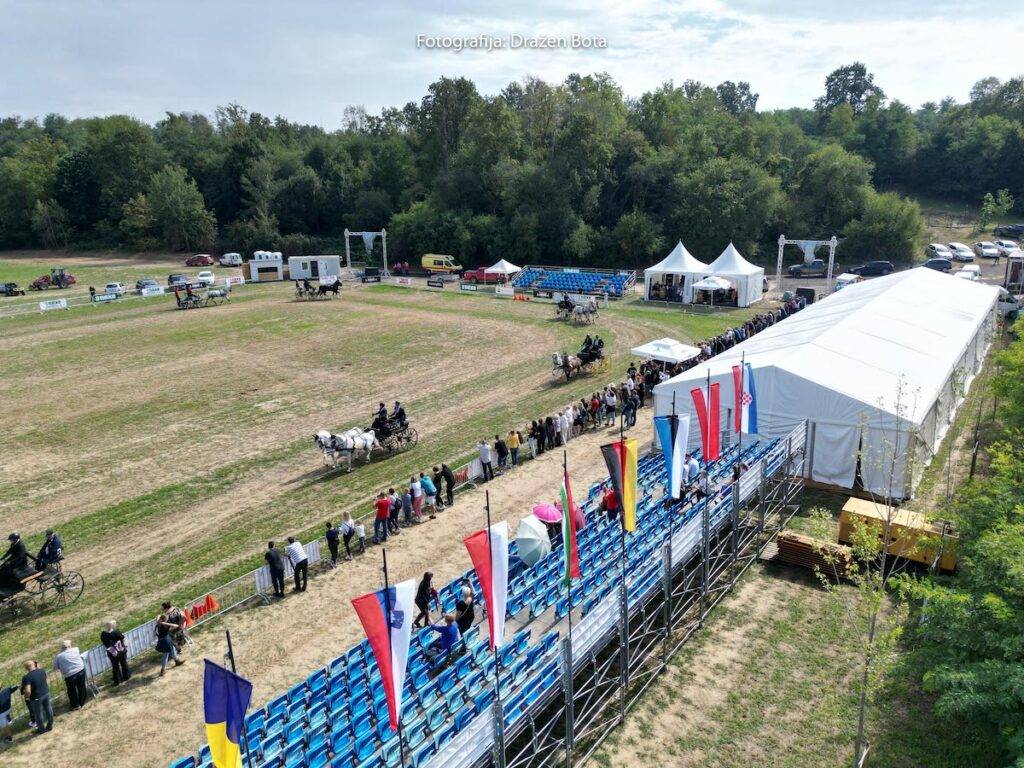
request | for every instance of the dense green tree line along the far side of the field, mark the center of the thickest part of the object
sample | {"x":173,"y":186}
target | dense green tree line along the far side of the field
{"x":572,"y":173}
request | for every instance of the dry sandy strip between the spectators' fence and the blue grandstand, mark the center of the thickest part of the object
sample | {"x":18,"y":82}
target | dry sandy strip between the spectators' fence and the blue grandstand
{"x":278,"y":646}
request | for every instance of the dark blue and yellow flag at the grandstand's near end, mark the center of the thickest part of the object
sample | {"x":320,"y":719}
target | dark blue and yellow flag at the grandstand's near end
{"x":226,"y":699}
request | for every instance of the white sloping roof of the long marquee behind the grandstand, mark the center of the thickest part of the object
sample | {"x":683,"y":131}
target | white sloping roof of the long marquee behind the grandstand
{"x":862,"y":343}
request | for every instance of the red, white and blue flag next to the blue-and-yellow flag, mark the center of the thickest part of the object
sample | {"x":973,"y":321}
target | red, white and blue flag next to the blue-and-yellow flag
{"x":388,"y":620}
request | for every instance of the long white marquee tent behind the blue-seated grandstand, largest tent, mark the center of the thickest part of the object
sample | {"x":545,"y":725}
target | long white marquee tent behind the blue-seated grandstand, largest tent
{"x":879,"y":366}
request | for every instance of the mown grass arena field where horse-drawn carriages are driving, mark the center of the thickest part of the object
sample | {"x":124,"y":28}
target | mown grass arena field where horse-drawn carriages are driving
{"x":166,"y":447}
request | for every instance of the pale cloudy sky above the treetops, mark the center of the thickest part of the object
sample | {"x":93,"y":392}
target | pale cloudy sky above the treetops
{"x":308,"y":60}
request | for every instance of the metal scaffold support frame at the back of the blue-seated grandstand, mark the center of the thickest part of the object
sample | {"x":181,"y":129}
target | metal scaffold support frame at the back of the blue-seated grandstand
{"x":570,"y":723}
